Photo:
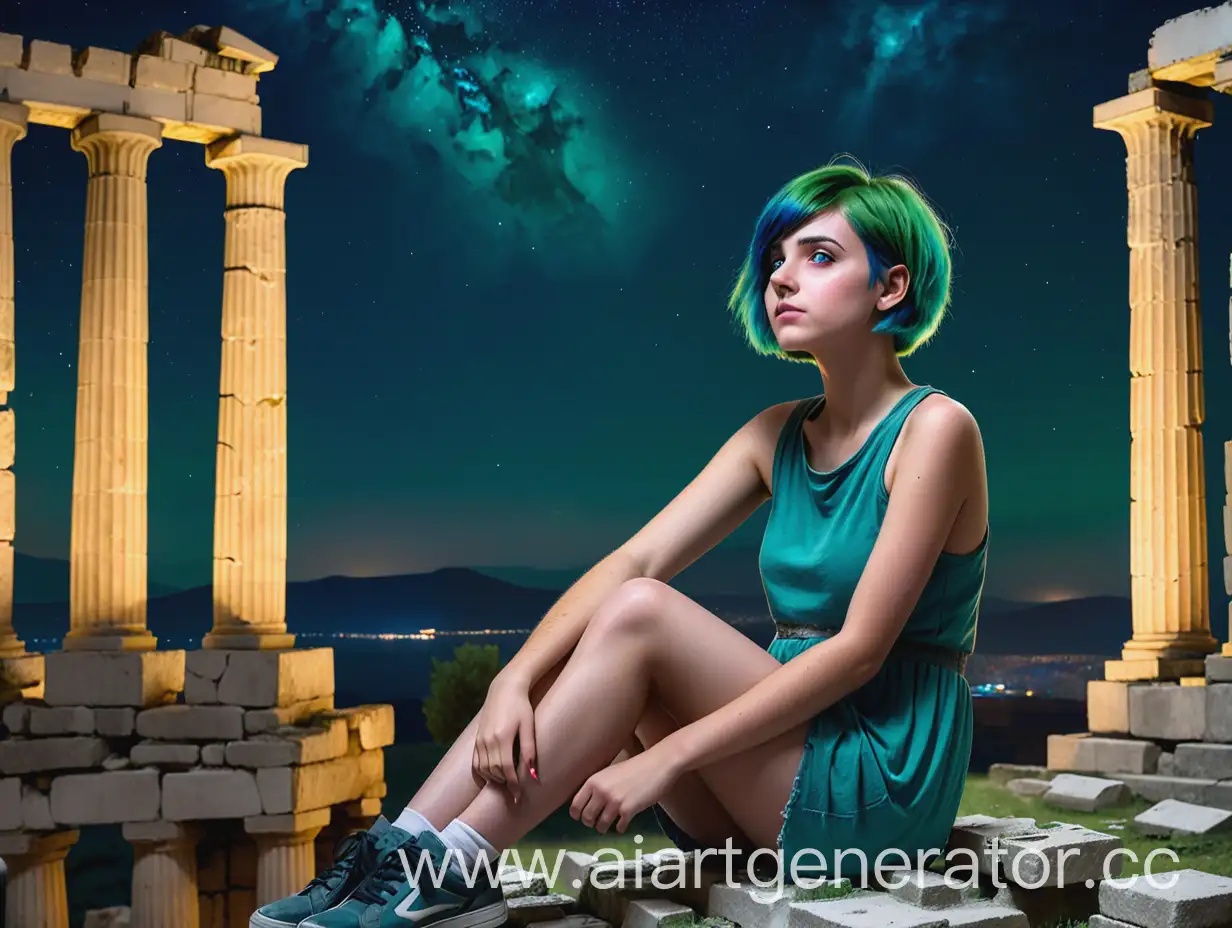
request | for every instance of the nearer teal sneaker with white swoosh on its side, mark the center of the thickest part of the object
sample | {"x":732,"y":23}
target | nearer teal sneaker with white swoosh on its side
{"x":440,"y":898}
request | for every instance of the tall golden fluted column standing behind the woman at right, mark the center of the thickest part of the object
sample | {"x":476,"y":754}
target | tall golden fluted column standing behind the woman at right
{"x":1169,"y":561}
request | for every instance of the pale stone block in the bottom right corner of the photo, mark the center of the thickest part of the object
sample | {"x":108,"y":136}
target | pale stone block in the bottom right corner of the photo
{"x":1194,"y":900}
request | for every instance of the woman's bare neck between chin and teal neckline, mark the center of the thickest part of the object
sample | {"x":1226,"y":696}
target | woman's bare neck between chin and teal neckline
{"x":861,"y":385}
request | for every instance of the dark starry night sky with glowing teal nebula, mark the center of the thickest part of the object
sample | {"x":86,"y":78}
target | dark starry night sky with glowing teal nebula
{"x":508,"y":340}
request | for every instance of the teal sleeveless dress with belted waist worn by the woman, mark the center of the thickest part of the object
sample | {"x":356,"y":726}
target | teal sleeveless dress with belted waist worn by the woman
{"x":885,"y":767}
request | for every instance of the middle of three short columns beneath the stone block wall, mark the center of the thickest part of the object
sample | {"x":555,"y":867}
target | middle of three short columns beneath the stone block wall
{"x":164,"y":874}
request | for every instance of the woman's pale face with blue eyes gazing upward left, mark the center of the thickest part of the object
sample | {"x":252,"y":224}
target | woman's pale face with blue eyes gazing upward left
{"x":820,"y":284}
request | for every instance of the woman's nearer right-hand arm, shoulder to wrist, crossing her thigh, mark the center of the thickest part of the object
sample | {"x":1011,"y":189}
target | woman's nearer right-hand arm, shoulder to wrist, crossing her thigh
{"x":937,"y":476}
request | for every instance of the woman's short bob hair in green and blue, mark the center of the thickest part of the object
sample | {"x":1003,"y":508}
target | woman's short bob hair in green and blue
{"x":896,"y":225}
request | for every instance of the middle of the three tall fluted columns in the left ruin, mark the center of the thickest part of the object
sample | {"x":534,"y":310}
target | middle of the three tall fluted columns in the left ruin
{"x":108,"y":548}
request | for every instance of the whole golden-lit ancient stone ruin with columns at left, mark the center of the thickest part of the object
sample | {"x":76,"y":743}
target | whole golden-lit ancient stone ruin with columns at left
{"x":230,"y":768}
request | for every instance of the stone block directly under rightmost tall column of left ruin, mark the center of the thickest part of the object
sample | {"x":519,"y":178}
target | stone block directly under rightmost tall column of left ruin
{"x":264,"y":680}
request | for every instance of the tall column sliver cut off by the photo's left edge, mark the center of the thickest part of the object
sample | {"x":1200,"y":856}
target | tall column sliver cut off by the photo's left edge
{"x":19,"y":670}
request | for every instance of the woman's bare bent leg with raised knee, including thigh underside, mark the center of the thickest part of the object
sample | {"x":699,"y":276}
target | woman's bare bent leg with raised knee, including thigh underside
{"x":647,"y":643}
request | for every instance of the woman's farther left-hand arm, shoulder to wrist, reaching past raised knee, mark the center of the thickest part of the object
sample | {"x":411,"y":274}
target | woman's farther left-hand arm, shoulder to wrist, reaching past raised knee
{"x":724,"y":495}
